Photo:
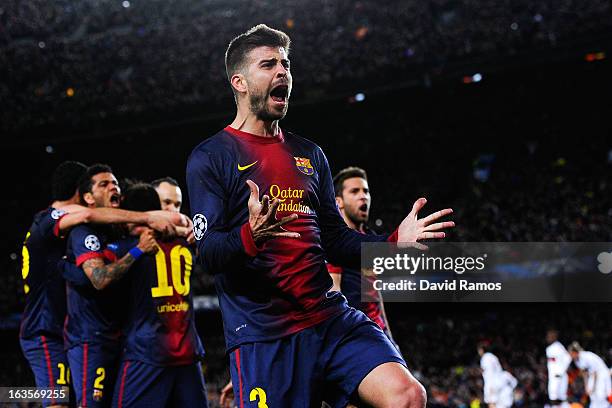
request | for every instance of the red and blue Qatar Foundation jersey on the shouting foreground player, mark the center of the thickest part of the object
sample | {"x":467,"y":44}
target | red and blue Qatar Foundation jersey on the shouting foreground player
{"x":282,"y":287}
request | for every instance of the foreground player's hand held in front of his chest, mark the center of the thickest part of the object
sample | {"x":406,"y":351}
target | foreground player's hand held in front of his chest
{"x":262,"y":217}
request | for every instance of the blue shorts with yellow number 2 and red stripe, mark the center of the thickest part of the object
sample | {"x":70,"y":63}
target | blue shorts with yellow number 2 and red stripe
{"x":94,"y":370}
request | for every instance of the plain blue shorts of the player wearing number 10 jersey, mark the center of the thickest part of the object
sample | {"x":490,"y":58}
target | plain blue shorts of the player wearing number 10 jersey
{"x":145,"y":385}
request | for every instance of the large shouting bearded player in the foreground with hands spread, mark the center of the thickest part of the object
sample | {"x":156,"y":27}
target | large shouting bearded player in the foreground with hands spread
{"x":286,"y":334}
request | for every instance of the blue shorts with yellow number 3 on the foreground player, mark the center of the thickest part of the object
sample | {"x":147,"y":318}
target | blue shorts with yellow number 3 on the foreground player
{"x":324,"y":362}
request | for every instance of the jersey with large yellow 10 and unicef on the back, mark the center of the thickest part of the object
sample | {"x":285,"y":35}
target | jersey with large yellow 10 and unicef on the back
{"x":160,"y":324}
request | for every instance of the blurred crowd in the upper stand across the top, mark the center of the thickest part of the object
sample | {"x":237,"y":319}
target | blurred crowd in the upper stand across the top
{"x":75,"y":63}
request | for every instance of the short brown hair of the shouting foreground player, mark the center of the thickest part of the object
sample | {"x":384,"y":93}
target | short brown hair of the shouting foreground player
{"x":259,"y":36}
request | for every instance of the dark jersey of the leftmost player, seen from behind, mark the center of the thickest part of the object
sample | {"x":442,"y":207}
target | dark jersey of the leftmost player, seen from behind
{"x":44,"y":287}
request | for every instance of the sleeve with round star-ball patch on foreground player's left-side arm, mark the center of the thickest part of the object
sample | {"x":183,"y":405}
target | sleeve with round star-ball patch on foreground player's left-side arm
{"x":219,"y":246}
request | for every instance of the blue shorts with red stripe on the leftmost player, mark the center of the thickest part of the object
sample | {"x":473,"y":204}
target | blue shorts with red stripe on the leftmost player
{"x":48,"y":361}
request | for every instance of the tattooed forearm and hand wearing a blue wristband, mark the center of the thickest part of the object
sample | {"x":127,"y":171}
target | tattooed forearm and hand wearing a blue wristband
{"x":102,"y":275}
